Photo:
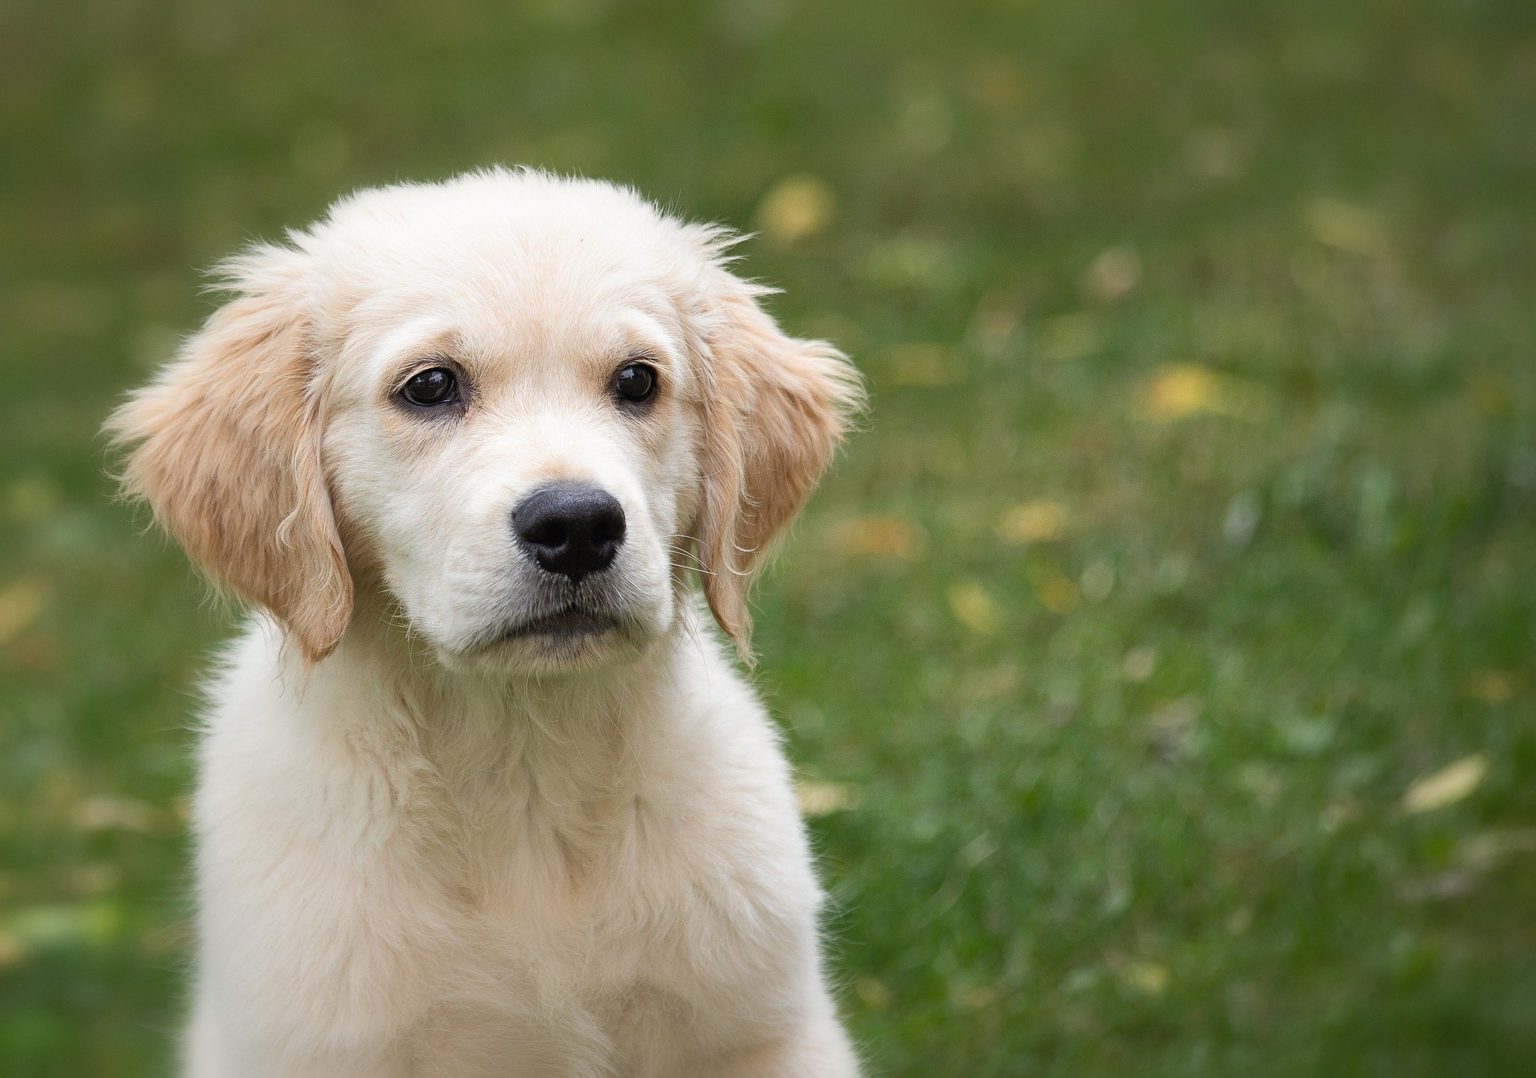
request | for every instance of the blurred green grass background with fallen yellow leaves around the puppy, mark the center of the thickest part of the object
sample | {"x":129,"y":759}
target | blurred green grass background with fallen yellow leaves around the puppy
{"x":1160,"y":658}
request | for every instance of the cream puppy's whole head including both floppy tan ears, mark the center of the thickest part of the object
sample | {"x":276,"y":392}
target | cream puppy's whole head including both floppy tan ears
{"x":512,"y":411}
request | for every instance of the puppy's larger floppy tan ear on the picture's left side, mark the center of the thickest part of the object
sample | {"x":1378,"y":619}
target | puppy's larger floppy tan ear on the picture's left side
{"x":227,"y":451}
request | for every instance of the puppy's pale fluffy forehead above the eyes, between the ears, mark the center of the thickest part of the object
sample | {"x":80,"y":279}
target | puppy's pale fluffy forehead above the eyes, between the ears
{"x":506,"y":256}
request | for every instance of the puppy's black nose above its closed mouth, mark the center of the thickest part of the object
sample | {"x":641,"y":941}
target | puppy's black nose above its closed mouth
{"x":571,"y":529}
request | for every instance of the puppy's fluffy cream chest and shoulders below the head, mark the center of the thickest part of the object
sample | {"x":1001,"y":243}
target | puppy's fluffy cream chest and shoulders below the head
{"x":572,"y":881}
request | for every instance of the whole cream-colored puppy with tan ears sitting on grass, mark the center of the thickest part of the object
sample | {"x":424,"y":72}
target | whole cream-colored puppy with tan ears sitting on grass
{"x":482,"y":795}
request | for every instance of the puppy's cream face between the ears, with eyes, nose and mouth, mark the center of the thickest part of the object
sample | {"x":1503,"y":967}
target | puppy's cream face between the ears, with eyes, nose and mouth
{"x":518,"y":451}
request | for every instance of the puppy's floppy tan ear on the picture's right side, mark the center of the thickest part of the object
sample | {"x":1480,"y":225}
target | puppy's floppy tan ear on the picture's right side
{"x":775,"y":412}
